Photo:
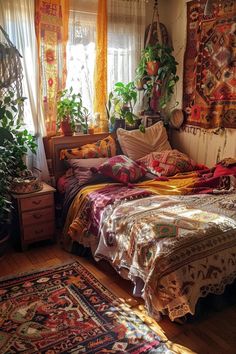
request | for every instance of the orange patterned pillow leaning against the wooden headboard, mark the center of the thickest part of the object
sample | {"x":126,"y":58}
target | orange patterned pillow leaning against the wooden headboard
{"x":102,"y":148}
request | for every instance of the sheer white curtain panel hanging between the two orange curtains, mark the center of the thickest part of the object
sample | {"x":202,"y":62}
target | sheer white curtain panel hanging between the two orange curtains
{"x":81,"y":52}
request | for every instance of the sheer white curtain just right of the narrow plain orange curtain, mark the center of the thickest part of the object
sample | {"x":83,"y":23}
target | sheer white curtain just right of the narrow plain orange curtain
{"x":126,"y":26}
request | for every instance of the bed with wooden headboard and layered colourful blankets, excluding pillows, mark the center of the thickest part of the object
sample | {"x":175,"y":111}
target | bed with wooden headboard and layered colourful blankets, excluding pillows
{"x":174,"y":238}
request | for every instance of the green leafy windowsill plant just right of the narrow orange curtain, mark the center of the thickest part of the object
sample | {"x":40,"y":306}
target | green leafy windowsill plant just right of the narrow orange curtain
{"x":120,"y":107}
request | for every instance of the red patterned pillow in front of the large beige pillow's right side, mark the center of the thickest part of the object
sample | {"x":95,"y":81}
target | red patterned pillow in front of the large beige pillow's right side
{"x":168,"y":163}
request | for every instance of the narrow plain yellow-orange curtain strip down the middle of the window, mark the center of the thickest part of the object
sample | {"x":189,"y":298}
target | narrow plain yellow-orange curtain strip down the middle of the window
{"x":100,"y":75}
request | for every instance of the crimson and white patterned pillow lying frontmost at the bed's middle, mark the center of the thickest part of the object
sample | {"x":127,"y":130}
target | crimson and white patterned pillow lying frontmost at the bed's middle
{"x":121,"y":169}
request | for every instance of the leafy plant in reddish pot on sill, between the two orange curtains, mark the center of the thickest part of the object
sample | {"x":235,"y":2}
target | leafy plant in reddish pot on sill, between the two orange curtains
{"x":70,"y":111}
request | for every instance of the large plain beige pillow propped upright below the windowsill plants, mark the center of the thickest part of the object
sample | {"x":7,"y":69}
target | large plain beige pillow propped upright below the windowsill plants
{"x":136,"y":144}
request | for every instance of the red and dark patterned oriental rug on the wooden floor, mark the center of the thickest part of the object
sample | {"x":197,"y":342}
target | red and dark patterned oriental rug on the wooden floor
{"x":67,"y":310}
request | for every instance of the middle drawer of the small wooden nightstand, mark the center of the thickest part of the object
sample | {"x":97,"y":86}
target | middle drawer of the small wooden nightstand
{"x":37,"y":216}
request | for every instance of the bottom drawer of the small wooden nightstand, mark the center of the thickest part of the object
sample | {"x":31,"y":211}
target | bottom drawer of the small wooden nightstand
{"x":38,"y":231}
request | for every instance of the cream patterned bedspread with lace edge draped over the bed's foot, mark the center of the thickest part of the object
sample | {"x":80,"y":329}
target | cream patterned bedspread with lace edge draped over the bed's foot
{"x":182,"y":247}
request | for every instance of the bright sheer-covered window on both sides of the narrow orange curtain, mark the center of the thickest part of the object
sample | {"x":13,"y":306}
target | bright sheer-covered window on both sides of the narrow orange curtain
{"x":126,"y":23}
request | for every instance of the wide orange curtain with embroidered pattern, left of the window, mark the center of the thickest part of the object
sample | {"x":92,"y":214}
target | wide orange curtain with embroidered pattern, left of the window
{"x":51,"y":22}
